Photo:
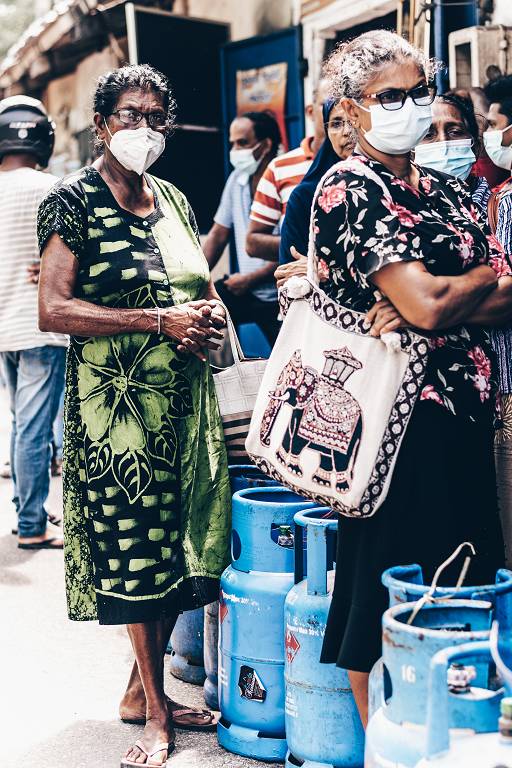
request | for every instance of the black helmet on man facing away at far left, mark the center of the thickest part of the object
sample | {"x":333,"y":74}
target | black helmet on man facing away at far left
{"x":26,"y":127}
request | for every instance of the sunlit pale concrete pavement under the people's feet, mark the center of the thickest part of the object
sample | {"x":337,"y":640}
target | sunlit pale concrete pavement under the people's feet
{"x":61,"y":681}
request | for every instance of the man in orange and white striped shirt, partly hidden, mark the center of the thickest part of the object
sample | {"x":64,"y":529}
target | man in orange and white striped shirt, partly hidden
{"x":281,"y":177}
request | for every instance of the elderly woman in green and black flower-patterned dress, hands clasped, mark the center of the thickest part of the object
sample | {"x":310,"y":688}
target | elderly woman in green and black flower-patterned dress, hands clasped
{"x":146,"y":488}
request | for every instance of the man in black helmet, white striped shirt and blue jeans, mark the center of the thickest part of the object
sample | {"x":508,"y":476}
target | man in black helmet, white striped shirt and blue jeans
{"x":33,"y":361}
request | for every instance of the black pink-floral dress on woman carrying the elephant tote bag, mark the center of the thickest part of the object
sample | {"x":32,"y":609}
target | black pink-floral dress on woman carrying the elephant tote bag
{"x":443,"y":490}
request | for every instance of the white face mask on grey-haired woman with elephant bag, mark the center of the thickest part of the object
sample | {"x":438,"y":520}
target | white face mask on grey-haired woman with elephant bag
{"x":396,"y":132}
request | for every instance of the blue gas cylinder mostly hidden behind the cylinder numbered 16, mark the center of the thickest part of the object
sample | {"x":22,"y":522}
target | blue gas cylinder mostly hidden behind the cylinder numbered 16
{"x":405,"y":584}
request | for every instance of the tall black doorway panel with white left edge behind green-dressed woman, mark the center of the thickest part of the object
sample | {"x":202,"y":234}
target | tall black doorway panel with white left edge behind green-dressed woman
{"x":187,"y":51}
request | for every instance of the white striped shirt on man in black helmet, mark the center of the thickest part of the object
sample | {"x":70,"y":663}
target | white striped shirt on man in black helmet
{"x":21,"y":191}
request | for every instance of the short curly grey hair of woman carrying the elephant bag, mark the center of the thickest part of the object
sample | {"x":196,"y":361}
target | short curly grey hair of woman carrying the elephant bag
{"x":355,"y":63}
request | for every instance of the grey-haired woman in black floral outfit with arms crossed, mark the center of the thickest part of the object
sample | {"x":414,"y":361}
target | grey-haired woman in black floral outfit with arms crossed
{"x":410,"y":234}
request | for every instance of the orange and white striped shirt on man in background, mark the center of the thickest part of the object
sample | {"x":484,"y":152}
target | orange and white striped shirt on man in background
{"x":281,"y":177}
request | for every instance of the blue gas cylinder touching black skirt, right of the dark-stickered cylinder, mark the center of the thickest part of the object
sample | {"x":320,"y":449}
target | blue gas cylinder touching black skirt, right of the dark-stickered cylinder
{"x":323,"y":727}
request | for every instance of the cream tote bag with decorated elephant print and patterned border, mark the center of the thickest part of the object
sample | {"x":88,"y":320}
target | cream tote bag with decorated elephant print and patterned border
{"x":334,"y":401}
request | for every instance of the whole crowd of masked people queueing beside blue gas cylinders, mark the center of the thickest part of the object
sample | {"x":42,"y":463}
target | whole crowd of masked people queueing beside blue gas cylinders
{"x":125,"y":277}
